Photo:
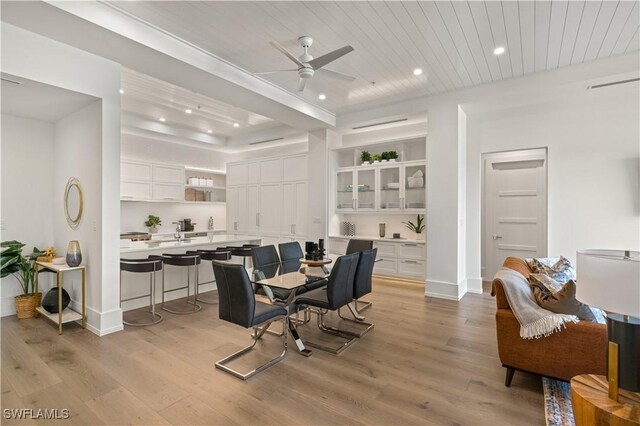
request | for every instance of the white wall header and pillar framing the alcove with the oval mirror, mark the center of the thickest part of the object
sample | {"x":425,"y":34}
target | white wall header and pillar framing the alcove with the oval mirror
{"x":28,"y":55}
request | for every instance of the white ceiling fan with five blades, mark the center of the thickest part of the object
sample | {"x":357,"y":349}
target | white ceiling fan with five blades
{"x":308,"y":66}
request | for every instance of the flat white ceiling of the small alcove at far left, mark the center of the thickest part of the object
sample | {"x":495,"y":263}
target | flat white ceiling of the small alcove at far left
{"x":39,"y":101}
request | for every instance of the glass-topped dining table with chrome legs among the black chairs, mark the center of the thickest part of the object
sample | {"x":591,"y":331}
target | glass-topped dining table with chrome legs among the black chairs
{"x":269,"y":277}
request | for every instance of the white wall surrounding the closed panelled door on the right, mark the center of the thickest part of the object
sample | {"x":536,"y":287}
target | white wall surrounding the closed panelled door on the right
{"x":592,"y":138}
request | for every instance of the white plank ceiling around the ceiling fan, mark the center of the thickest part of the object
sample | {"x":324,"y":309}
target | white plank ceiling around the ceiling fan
{"x":452,"y":41}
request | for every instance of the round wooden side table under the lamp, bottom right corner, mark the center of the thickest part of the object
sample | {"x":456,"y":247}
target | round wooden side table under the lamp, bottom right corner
{"x":592,"y":406}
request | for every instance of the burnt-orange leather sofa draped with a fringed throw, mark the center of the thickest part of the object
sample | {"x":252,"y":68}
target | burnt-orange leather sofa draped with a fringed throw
{"x":577,"y":349}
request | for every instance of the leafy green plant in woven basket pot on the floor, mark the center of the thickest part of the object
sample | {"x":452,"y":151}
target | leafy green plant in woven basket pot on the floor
{"x":12,"y":262}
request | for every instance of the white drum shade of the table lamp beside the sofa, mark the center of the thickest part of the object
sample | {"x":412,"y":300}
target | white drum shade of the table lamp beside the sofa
{"x":609,"y":281}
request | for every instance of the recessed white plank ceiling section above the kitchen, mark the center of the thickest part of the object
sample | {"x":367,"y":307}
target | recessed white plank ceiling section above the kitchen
{"x":149,"y":99}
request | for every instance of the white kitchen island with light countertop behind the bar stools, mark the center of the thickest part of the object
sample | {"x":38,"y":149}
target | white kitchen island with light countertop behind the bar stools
{"x":133,"y":285}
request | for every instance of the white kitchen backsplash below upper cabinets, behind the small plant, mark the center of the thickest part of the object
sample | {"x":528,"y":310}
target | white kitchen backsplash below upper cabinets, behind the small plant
{"x":134,"y":214}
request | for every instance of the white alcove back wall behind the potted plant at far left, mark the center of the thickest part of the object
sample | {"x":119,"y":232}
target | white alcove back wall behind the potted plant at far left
{"x":27,"y":191}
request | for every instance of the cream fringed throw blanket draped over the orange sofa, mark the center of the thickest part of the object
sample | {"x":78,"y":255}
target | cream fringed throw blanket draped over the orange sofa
{"x":535,"y":322}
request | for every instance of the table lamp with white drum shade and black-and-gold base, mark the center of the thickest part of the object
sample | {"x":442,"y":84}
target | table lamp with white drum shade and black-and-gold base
{"x":610,"y":280}
